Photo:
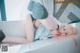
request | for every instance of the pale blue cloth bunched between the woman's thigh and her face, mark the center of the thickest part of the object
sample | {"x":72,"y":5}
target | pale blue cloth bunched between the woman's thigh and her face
{"x":42,"y":33}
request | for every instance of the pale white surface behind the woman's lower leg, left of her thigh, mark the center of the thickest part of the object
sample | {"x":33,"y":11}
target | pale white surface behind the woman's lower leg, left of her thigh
{"x":13,"y":28}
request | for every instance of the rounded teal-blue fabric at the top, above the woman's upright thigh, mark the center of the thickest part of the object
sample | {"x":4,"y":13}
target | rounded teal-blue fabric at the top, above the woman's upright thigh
{"x":38,"y":10}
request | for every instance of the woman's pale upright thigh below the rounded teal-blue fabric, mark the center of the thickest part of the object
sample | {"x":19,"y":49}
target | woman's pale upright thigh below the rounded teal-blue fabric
{"x":29,"y":30}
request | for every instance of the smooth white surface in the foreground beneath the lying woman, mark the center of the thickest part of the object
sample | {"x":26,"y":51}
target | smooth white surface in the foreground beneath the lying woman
{"x":62,"y":45}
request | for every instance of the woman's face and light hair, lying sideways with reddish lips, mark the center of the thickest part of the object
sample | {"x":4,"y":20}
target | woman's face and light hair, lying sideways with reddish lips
{"x":65,"y":30}
